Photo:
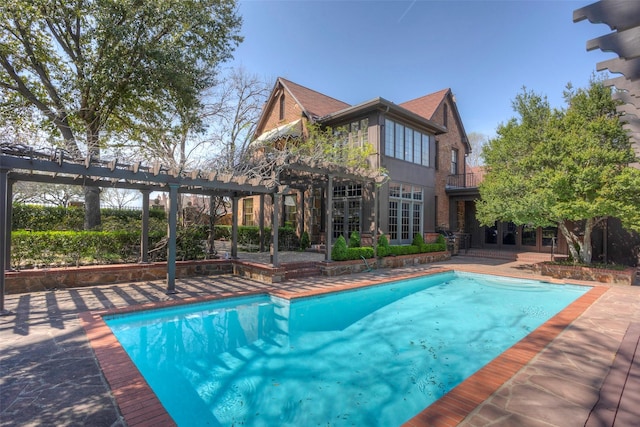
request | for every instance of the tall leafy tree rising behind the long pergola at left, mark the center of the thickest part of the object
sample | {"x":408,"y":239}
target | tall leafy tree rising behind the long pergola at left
{"x":91,"y":67}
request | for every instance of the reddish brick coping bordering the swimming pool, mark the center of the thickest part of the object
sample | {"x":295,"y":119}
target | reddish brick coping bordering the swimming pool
{"x":140,"y":406}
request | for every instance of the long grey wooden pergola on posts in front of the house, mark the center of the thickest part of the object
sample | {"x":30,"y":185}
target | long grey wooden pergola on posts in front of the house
{"x":21,"y":163}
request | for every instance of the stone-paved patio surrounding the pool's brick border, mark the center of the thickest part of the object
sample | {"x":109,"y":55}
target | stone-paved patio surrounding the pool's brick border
{"x":49,"y":374}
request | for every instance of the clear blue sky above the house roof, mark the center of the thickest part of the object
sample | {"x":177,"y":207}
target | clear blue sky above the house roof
{"x":484,"y":50}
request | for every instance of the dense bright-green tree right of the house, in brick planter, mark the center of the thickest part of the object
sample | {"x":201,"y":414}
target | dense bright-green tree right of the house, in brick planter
{"x":568,"y":168}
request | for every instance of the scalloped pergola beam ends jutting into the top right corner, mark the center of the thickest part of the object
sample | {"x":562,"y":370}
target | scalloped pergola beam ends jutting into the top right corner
{"x":623,"y":17}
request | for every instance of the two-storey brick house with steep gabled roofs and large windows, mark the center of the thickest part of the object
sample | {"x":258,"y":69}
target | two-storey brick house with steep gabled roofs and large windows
{"x":420,"y":143}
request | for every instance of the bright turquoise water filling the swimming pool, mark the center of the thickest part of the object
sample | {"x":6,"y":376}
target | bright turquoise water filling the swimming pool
{"x":374,"y":356}
